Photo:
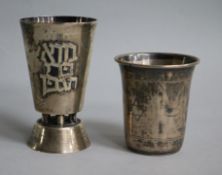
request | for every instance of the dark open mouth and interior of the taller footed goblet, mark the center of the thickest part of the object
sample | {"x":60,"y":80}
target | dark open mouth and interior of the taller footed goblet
{"x":58,"y":19}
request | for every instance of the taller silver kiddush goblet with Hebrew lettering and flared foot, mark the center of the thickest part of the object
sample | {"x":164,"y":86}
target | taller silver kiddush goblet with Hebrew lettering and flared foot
{"x":58,"y":54}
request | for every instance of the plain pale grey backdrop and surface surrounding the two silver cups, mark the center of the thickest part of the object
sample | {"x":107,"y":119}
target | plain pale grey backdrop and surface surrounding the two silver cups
{"x":190,"y":27}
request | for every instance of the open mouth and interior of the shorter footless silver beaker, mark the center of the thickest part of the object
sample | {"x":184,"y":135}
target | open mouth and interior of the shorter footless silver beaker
{"x":157,"y":59}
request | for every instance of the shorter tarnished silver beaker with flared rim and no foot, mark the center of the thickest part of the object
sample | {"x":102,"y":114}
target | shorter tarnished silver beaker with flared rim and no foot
{"x":156,"y":93}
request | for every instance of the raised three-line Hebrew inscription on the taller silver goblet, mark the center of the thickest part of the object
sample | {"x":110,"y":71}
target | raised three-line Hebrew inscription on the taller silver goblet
{"x":58,"y":60}
